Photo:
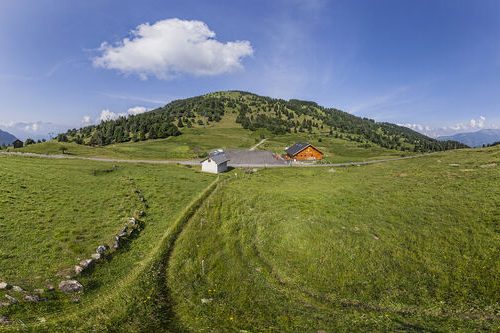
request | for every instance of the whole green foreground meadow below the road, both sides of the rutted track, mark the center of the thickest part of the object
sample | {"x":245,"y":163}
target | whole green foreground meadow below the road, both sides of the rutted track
{"x":408,"y":245}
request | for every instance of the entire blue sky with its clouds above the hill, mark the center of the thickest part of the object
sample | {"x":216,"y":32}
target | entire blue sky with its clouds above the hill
{"x":433,"y":65}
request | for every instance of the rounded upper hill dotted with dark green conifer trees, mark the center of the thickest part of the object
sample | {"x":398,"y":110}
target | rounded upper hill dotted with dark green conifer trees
{"x":254,"y":112}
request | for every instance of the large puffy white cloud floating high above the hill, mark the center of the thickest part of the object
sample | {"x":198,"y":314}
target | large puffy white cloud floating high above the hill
{"x":171,"y":47}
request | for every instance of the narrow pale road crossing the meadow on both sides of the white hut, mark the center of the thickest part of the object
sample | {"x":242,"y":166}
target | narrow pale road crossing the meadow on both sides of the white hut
{"x":197,"y":162}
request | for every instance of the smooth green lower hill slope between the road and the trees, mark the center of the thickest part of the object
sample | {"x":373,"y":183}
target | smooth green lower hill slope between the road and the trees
{"x":226,"y":134}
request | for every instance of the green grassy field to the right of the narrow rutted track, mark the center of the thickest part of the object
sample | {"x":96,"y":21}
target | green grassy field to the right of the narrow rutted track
{"x":411,"y":245}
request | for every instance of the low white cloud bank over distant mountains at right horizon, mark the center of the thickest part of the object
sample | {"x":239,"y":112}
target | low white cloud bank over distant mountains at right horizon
{"x":469,"y":126}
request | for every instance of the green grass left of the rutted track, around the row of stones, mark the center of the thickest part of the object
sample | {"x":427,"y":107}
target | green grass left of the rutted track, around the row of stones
{"x":61,"y":211}
